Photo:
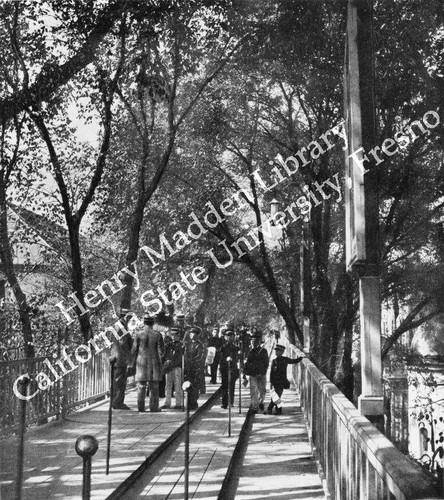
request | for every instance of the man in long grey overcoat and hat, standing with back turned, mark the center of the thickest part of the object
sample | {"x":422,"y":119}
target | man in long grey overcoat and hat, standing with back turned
{"x":148,"y":350}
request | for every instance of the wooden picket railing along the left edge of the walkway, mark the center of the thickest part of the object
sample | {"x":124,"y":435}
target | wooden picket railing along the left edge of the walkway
{"x":89,"y":381}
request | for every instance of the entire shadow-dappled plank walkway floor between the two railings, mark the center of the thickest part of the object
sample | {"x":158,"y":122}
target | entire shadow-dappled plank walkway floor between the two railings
{"x":277,"y":464}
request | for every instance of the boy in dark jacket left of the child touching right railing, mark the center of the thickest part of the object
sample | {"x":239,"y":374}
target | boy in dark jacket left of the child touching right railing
{"x":256,"y":367}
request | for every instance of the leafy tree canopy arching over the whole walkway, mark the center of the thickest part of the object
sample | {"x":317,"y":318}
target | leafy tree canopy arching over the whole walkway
{"x":125,"y":122}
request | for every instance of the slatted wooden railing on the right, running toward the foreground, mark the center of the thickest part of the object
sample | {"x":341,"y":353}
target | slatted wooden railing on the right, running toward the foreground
{"x":358,"y":461}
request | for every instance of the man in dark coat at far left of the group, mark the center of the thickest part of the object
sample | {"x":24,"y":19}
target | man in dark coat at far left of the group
{"x":121,"y":356}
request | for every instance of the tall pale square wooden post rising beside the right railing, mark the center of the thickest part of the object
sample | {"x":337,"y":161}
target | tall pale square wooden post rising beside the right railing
{"x":362,"y":211}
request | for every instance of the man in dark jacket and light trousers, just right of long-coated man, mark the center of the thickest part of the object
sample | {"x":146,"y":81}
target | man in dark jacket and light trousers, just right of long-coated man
{"x":172,"y":367}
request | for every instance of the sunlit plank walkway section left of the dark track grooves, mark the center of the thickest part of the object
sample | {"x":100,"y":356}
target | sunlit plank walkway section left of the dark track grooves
{"x":52,"y":468}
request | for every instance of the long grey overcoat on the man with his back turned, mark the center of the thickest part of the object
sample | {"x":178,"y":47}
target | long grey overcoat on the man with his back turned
{"x":148,"y":350}
